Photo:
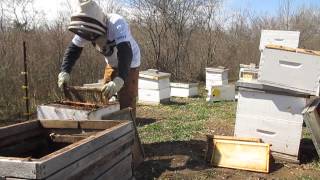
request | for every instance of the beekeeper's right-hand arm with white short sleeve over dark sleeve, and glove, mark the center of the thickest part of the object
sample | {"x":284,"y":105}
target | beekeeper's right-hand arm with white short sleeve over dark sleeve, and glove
{"x":122,"y":34}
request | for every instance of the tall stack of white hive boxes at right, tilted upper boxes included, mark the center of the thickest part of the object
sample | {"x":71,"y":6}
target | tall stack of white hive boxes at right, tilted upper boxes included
{"x":271,"y":107}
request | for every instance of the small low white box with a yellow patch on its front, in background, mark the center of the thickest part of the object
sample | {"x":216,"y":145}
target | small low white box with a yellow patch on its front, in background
{"x":221,"y":93}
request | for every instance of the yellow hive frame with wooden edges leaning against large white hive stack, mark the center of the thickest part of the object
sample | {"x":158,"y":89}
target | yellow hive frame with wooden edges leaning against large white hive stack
{"x":242,"y":155}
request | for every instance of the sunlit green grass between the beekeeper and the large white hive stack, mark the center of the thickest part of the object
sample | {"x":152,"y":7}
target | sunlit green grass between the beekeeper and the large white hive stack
{"x":184,"y":118}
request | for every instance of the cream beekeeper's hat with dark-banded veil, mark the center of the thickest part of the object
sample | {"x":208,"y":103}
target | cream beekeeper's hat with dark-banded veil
{"x":87,"y":20}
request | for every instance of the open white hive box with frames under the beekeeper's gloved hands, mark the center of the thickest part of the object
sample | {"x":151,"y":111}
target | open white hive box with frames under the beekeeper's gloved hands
{"x":78,"y":111}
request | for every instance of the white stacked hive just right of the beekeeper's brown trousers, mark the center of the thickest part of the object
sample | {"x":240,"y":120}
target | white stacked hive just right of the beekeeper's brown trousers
{"x":154,"y":87}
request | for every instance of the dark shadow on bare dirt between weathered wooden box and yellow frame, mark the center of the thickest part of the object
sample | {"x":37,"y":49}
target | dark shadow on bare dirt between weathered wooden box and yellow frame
{"x":172,"y":156}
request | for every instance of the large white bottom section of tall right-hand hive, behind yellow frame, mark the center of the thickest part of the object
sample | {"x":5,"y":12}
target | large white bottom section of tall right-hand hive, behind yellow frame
{"x":275,"y":118}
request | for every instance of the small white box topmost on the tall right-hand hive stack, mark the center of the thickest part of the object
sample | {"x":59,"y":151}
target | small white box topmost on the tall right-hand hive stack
{"x":281,"y":38}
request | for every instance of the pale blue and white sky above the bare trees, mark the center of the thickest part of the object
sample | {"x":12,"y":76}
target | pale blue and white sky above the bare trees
{"x":51,"y":7}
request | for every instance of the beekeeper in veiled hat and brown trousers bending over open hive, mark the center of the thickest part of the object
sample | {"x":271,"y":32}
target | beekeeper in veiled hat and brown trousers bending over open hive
{"x":110,"y":35}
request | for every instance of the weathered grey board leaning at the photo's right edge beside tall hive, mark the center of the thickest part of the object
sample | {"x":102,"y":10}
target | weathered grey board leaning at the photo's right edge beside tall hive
{"x":312,"y":120}
